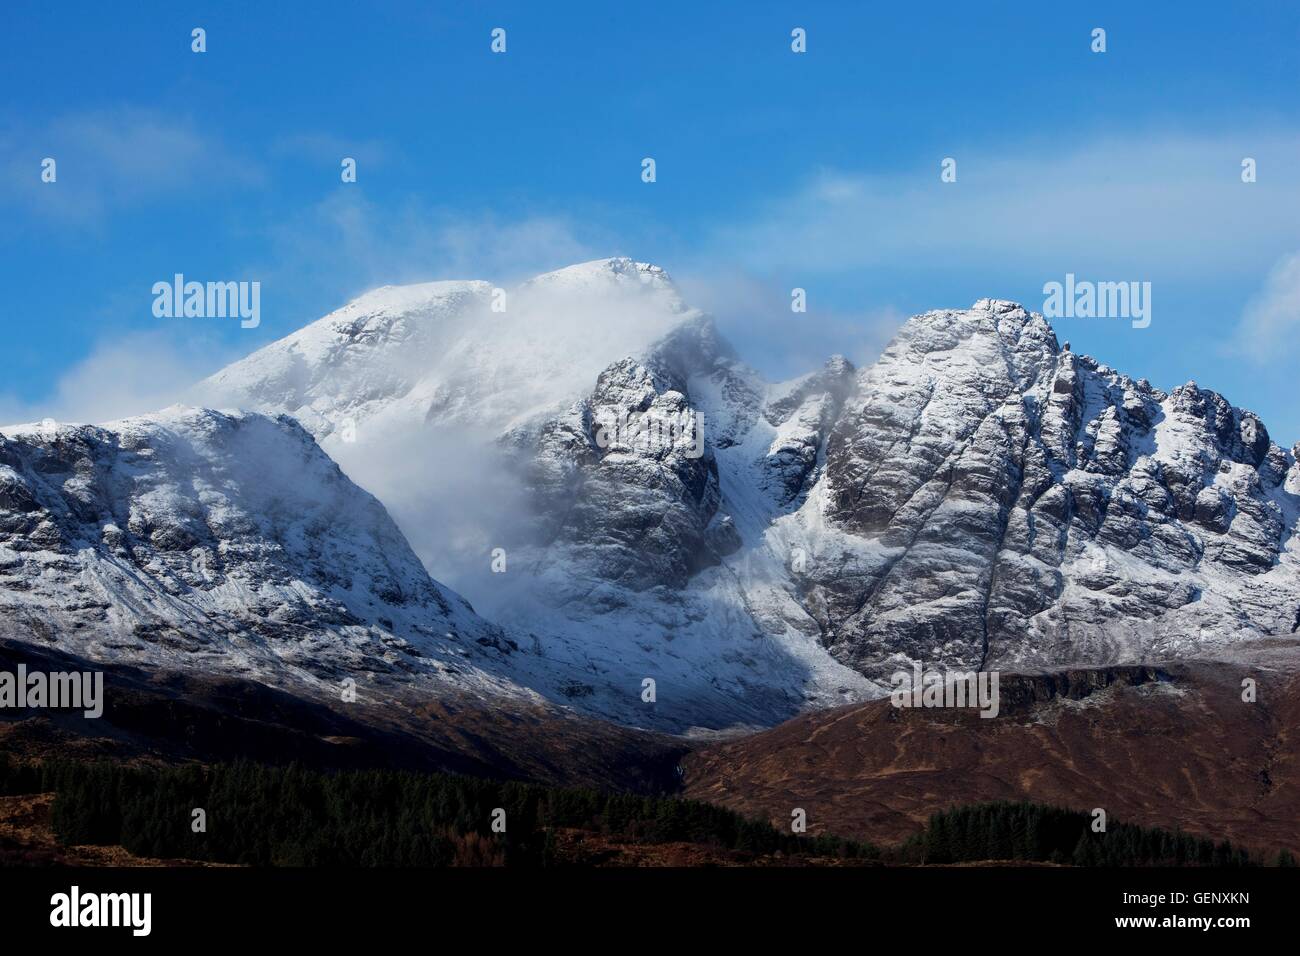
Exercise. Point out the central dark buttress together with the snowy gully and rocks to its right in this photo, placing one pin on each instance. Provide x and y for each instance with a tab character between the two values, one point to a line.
647	509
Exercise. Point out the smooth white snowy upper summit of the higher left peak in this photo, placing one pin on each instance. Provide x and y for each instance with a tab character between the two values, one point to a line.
454	354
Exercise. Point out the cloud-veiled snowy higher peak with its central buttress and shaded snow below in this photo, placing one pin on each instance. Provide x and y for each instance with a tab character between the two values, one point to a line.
610	566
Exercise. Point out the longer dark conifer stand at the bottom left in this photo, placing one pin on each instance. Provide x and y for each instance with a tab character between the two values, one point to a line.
291	816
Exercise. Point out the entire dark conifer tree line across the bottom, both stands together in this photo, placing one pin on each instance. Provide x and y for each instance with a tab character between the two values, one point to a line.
291	816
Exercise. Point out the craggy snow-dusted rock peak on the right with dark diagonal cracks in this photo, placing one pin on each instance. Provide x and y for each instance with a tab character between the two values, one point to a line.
1028	505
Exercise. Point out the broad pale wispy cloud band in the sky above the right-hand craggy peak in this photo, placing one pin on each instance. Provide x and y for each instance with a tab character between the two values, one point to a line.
1123	204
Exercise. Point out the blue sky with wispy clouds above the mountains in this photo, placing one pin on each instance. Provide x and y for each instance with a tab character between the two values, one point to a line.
774	171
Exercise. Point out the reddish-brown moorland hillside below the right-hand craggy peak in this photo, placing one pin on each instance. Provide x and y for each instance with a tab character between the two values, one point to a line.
1082	739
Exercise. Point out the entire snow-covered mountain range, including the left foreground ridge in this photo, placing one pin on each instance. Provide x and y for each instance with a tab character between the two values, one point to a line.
649	530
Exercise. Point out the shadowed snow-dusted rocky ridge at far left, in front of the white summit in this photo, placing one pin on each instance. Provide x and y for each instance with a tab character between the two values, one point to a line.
226	542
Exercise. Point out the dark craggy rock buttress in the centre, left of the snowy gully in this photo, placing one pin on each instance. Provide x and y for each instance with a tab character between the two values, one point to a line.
626	483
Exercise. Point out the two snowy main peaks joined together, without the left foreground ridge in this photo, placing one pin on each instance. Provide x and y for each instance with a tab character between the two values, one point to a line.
627	501
